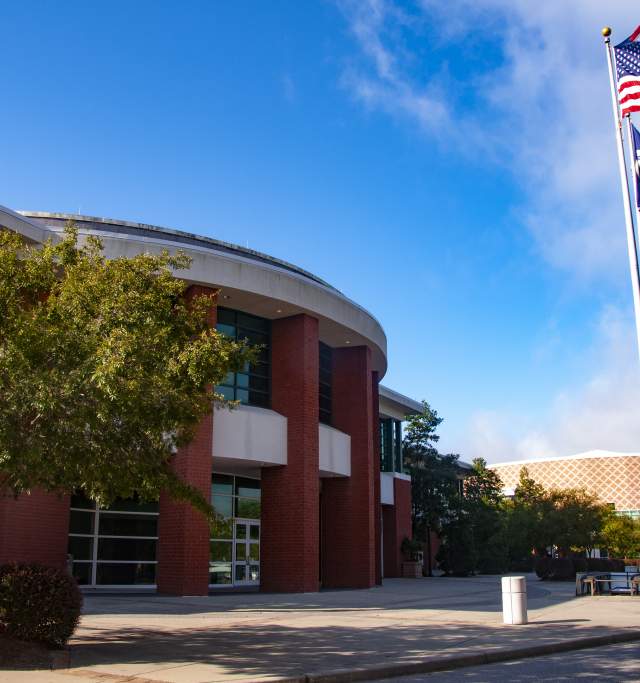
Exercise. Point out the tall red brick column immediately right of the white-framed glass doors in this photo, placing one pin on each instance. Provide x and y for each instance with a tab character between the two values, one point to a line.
289	545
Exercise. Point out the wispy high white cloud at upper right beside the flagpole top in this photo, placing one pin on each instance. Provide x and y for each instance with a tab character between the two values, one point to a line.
544	111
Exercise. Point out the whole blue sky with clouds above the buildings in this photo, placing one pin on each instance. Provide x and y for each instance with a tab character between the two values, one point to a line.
450	168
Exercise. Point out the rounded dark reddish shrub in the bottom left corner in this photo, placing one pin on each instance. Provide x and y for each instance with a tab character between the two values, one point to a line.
38	604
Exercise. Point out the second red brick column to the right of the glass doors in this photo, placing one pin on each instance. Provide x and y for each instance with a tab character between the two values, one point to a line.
349	510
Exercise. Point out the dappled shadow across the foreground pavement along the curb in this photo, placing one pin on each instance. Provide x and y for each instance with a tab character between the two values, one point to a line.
259	650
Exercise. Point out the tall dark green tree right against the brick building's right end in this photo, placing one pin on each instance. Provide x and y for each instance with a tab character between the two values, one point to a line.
434	477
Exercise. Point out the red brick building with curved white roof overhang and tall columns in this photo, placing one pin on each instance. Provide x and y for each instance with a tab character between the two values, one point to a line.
306	473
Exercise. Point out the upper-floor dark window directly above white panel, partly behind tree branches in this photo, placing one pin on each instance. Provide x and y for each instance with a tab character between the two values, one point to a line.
251	386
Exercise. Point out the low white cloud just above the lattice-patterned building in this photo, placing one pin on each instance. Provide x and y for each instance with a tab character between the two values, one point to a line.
600	413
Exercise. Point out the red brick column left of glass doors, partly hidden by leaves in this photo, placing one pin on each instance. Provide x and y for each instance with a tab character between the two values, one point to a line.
183	533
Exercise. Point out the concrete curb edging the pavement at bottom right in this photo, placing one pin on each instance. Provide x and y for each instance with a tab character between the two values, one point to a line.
446	663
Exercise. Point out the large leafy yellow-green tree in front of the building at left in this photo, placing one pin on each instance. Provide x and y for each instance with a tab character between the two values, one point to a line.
106	367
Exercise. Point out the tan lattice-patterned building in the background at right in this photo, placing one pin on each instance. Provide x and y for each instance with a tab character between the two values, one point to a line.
615	477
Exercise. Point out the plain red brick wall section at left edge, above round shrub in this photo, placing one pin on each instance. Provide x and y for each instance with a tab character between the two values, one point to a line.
34	528
